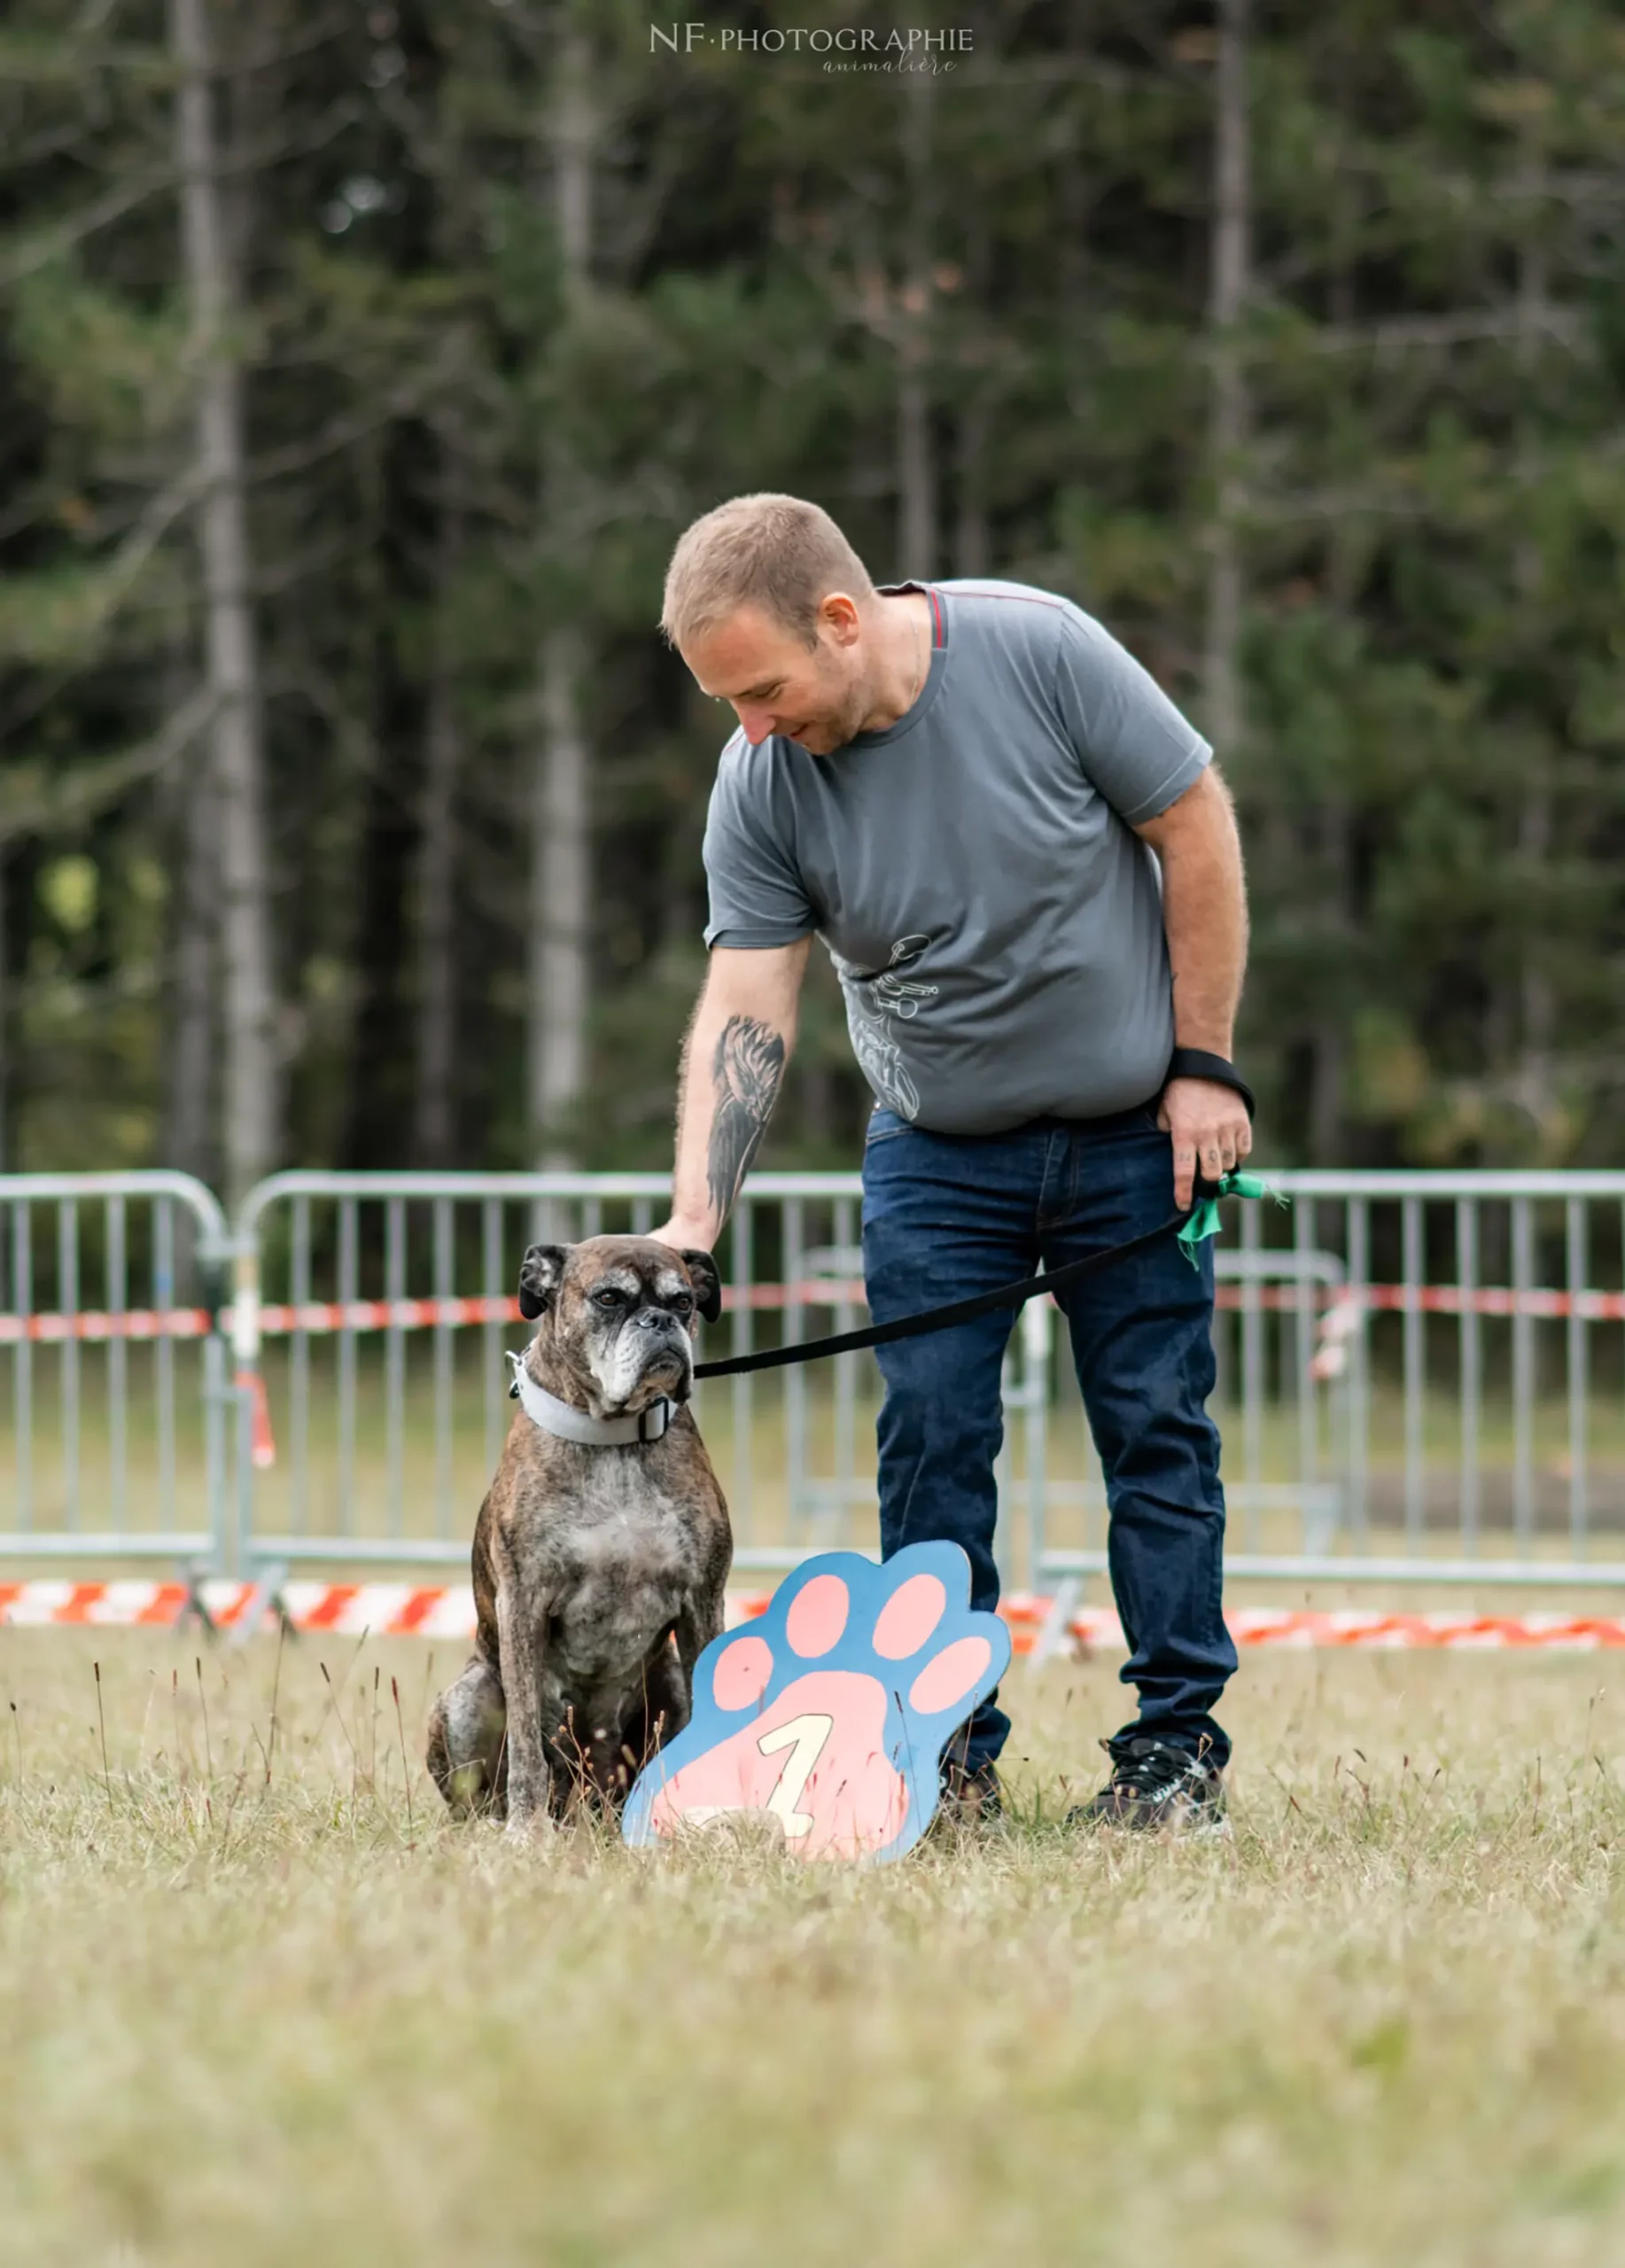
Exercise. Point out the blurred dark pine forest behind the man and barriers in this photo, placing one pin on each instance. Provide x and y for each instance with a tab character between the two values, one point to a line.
360	366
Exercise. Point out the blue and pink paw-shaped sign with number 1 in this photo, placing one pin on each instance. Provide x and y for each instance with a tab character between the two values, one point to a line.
834	1709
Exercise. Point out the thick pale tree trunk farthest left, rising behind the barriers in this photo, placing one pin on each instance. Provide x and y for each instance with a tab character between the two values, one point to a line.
251	1010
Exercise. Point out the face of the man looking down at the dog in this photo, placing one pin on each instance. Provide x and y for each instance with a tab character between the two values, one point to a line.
775	684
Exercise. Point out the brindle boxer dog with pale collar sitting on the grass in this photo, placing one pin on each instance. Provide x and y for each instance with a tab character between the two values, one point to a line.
603	1548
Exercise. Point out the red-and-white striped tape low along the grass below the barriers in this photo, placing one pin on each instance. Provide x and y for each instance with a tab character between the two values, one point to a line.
448	1611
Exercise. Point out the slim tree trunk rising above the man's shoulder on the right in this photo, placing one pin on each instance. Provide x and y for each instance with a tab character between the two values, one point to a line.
1227	418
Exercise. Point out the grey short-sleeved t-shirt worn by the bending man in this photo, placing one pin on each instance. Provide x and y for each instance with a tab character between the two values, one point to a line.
995	924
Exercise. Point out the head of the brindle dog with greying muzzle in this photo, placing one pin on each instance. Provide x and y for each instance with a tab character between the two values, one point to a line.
621	1312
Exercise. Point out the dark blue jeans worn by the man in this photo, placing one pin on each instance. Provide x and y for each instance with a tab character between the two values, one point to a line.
954	1215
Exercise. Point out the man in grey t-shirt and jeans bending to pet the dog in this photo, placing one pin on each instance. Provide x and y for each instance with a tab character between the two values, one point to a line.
1029	879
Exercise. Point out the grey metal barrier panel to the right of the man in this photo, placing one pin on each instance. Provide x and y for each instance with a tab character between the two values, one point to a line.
1422	1380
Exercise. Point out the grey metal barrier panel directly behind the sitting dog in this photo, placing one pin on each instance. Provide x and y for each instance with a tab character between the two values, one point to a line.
382	1312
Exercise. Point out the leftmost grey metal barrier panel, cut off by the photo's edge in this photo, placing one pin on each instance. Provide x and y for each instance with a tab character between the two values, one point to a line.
119	1389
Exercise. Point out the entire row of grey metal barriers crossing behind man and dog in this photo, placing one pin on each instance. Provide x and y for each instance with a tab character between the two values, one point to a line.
1422	1376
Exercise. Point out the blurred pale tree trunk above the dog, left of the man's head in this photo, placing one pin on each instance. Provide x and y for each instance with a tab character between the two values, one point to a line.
562	849
